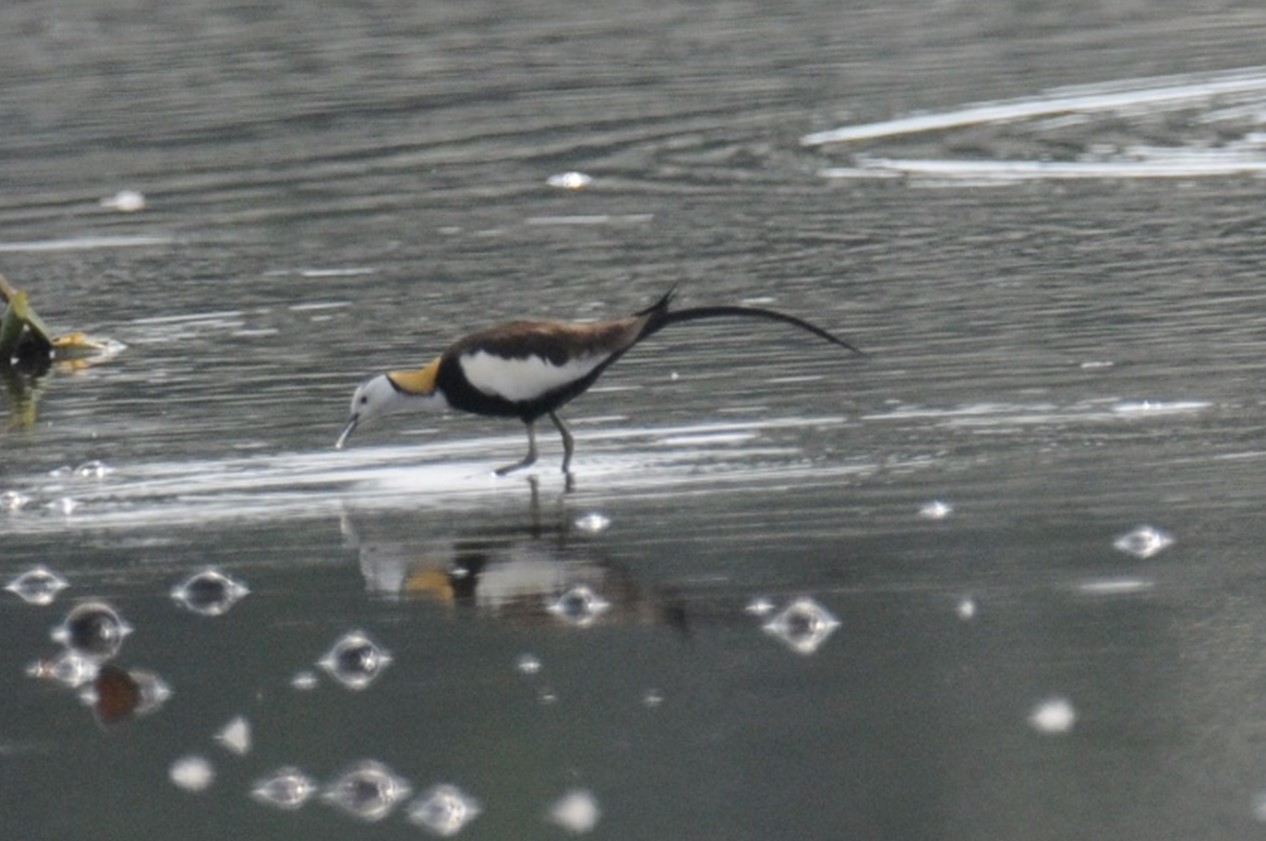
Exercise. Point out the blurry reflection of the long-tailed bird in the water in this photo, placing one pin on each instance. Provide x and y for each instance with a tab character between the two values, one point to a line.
525	572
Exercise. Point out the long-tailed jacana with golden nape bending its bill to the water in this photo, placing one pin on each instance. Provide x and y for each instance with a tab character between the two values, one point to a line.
530	369
